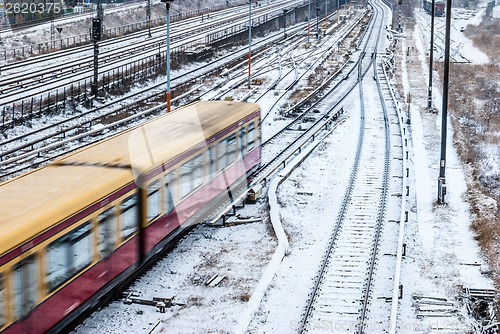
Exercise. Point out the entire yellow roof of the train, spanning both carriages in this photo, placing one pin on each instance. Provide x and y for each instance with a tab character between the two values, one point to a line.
34	202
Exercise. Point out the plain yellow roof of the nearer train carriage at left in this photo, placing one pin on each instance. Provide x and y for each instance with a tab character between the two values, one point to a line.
36	201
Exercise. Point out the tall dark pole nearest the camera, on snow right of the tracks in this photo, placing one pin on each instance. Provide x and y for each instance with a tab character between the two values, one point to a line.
444	112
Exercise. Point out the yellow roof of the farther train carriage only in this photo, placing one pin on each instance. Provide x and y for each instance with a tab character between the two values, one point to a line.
145	147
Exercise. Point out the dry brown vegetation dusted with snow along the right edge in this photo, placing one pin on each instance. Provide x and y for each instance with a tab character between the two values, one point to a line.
474	101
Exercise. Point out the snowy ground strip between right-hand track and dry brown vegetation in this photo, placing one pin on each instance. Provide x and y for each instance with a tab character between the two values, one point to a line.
443	255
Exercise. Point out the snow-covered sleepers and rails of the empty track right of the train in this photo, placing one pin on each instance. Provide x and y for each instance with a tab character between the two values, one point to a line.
341	294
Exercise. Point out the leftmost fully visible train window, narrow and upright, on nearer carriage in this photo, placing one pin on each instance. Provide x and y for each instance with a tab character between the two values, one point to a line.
24	287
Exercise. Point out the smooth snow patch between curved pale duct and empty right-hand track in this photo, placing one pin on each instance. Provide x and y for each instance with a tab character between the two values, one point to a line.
310	200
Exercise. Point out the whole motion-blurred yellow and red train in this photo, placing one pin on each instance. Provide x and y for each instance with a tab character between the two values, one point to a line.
82	226
